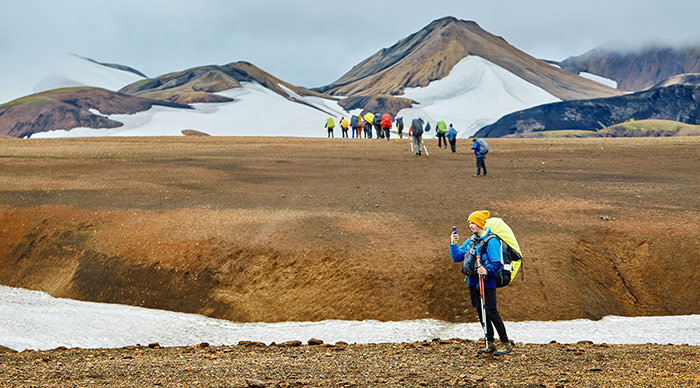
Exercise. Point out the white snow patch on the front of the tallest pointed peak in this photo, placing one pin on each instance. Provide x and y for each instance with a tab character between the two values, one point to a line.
475	93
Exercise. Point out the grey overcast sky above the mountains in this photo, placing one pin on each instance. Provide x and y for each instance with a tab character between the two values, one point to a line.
313	42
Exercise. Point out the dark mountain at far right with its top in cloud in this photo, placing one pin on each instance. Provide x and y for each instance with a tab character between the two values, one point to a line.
638	68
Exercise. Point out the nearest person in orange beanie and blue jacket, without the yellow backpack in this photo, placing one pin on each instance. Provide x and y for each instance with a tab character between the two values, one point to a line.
481	257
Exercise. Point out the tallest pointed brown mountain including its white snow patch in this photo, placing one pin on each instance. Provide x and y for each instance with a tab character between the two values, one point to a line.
455	71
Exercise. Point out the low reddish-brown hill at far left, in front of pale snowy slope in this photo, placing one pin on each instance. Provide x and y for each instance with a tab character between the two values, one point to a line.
70	108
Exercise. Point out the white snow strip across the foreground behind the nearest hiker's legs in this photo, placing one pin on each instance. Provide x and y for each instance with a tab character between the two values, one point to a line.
36	320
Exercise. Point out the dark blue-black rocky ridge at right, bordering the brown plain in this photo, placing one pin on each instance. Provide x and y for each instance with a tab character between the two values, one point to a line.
677	103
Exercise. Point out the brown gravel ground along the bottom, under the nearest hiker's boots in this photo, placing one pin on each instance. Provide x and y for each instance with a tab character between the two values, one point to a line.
439	363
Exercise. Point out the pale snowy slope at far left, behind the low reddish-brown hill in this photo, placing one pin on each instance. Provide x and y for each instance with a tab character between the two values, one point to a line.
56	70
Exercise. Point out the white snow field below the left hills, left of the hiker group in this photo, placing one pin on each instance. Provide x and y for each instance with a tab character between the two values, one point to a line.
255	111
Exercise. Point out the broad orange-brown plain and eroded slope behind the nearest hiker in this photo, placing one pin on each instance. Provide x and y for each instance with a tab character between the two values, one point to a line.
276	229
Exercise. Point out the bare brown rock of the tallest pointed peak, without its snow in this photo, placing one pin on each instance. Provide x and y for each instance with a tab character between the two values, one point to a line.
431	53
